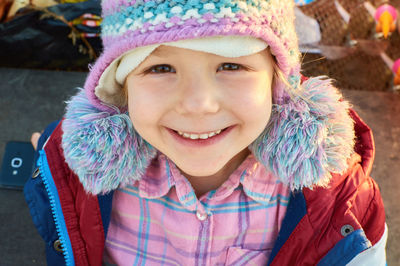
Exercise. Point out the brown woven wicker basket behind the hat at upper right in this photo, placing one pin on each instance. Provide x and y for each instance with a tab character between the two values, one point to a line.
358	71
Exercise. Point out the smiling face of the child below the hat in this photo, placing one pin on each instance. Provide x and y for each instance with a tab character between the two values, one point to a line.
199	109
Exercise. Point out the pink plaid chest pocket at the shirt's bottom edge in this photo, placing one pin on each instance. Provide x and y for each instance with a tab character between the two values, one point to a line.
239	256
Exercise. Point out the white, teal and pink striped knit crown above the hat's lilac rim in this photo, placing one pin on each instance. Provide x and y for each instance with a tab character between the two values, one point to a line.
140	17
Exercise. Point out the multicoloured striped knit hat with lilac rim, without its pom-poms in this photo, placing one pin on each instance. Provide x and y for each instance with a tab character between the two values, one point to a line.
131	24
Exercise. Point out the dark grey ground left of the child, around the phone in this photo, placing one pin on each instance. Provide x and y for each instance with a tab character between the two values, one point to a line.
29	100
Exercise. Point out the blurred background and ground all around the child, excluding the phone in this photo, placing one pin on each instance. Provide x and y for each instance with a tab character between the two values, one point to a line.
46	47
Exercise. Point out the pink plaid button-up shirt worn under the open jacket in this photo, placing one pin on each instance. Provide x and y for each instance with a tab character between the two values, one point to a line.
160	221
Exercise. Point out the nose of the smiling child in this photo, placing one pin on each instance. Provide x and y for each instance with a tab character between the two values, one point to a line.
199	94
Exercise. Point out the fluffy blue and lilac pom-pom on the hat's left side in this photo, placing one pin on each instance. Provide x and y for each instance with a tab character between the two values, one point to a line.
103	149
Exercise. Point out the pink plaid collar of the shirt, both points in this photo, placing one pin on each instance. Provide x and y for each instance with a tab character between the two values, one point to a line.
162	175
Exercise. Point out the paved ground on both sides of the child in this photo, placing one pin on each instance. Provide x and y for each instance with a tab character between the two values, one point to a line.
30	99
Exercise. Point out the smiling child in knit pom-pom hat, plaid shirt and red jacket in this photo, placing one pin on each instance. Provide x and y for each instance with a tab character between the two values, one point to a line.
197	142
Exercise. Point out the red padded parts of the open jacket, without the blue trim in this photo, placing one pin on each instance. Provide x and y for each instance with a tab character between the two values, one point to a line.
352	198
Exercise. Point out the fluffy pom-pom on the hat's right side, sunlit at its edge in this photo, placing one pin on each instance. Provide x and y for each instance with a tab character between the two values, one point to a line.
308	137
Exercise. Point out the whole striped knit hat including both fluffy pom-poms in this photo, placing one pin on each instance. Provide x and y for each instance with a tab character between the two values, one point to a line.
309	134
